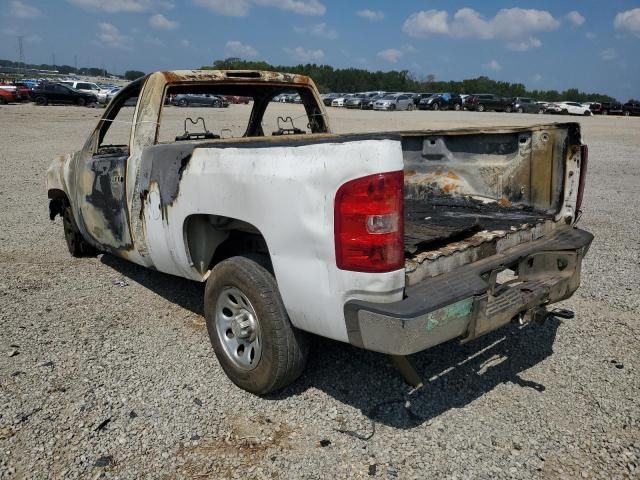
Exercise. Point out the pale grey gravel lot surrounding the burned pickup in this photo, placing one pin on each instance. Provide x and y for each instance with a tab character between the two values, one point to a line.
106	370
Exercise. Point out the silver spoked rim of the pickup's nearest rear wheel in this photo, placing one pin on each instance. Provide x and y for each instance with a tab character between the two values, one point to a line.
238	328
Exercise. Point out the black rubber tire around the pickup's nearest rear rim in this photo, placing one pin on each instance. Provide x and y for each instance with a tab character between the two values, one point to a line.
284	349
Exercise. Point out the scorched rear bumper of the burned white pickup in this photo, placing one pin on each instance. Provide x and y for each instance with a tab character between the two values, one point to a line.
469	302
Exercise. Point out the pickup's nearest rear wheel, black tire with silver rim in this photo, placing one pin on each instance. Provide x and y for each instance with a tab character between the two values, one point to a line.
256	344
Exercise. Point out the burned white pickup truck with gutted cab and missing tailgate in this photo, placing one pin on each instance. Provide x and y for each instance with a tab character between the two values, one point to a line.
393	241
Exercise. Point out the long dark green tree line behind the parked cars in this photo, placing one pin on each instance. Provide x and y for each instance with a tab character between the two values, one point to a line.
343	80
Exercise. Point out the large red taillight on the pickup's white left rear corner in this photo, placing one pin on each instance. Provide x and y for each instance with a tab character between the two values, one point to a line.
369	223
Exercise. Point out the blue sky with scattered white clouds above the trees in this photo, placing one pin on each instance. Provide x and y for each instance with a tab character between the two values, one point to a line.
593	45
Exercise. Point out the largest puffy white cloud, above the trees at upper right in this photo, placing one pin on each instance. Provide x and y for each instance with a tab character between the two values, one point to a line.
508	23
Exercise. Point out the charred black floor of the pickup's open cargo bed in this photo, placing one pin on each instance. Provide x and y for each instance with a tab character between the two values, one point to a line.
439	219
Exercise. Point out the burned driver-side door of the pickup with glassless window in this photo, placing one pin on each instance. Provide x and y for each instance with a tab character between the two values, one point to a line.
101	179
